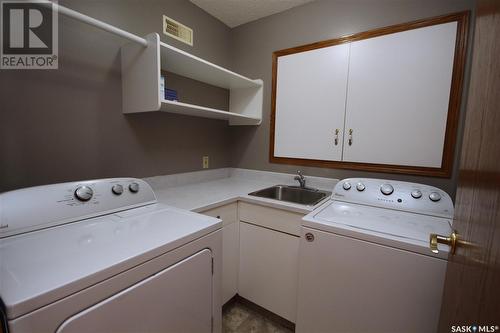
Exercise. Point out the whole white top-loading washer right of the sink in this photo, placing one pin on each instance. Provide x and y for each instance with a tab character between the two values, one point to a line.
365	262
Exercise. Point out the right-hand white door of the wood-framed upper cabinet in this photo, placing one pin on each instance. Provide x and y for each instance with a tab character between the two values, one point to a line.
398	96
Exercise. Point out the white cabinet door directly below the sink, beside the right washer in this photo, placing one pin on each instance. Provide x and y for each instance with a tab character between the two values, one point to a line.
269	269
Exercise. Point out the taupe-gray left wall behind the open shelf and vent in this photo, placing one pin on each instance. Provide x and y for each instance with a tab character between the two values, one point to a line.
67	124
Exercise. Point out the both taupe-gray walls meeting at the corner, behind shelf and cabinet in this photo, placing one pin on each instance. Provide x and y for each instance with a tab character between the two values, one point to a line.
67	124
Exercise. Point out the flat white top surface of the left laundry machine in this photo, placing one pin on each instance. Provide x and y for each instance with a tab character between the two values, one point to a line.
44	266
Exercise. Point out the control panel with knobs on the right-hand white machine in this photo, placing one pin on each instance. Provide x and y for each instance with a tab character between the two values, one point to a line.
391	194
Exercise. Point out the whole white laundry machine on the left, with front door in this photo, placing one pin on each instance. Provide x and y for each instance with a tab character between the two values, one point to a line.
104	256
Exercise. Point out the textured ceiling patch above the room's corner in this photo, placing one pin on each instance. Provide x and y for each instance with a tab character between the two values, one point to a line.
236	12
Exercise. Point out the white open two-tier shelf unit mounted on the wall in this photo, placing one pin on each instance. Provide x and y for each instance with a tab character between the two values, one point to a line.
141	67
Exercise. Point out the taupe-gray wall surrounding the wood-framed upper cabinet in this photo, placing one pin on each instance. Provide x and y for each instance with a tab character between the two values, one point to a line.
253	44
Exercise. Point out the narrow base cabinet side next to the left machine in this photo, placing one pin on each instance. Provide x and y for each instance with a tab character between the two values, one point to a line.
230	248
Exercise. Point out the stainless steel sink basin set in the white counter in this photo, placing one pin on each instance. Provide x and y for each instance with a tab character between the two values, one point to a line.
303	196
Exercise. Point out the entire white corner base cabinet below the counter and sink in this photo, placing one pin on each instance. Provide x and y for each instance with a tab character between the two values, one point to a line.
260	256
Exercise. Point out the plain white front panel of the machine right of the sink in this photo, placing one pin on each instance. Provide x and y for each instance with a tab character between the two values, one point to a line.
351	286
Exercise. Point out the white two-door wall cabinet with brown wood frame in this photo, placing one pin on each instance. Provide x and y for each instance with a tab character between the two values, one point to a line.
384	100
